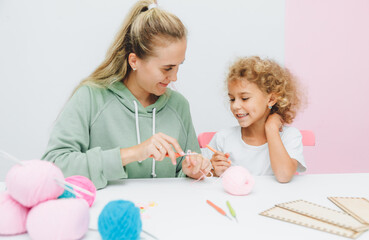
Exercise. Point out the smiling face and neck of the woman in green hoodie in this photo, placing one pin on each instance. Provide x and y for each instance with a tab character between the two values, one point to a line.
153	74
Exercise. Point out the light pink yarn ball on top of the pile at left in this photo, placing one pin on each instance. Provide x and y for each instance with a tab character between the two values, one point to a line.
33	182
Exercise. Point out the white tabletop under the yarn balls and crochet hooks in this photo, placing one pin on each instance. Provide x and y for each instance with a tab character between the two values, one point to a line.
182	211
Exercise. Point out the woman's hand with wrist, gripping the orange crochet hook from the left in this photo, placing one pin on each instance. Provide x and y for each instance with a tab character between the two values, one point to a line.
156	147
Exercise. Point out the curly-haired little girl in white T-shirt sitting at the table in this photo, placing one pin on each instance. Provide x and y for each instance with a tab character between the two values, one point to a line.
263	97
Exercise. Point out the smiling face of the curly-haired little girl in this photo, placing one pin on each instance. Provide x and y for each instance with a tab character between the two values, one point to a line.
248	103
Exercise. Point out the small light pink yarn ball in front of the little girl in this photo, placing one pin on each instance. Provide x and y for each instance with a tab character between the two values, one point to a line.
237	180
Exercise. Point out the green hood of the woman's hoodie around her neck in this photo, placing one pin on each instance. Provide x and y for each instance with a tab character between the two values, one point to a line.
127	98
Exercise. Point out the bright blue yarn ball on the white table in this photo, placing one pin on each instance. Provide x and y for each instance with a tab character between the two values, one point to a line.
120	219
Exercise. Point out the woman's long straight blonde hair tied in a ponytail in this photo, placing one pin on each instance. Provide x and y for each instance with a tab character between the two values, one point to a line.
142	30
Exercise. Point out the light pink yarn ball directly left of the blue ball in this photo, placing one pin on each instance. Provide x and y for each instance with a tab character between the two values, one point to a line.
60	219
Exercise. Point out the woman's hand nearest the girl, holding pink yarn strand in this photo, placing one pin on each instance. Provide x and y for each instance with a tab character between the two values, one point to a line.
195	166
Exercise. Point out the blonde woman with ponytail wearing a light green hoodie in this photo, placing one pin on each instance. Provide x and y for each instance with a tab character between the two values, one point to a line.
122	121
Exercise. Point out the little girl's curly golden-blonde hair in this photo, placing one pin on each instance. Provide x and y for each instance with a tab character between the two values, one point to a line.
270	78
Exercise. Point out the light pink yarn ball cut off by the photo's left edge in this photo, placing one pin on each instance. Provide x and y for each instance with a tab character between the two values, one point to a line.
12	216
